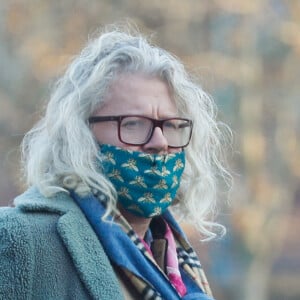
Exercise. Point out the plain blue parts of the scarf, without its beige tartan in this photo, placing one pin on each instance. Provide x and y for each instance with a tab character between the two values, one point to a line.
124	251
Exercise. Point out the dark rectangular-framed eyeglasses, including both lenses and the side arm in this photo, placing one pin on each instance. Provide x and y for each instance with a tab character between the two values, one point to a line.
138	130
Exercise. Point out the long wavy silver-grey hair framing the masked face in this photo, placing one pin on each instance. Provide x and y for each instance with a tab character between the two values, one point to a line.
60	151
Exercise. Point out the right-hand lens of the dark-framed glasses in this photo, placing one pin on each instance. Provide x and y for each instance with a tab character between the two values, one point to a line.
177	132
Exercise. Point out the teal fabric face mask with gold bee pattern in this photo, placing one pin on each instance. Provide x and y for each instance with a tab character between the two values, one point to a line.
146	183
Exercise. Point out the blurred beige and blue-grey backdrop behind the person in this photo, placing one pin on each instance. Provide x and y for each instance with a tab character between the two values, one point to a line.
246	54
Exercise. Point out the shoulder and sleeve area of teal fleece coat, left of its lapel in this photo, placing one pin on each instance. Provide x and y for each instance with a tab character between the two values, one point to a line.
33	259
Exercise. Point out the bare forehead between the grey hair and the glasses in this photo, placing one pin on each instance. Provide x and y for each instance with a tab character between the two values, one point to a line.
139	94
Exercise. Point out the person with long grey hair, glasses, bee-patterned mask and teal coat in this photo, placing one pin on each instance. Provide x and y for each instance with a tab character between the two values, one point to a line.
129	143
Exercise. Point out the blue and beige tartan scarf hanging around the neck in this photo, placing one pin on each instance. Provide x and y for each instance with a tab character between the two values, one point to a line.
127	251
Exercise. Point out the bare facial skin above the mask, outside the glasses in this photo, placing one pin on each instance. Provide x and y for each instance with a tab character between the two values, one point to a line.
136	95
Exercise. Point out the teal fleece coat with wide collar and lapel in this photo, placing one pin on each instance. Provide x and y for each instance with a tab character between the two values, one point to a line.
48	250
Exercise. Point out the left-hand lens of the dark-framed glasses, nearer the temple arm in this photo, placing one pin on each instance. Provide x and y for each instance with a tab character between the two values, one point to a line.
135	130
